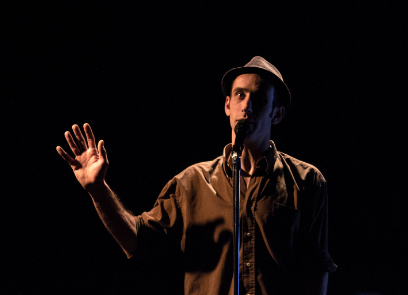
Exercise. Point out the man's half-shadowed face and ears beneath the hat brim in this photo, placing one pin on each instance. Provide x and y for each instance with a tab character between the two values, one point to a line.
251	98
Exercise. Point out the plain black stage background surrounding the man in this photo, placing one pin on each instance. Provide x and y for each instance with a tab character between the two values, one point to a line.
146	76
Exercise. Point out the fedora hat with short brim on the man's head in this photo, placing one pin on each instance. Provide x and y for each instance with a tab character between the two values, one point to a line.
258	65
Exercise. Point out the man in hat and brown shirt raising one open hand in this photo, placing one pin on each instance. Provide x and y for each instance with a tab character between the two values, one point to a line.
283	202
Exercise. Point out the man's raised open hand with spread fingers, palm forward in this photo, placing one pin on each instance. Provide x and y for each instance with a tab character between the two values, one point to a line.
90	163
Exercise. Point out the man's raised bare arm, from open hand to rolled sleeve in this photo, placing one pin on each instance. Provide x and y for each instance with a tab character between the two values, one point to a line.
89	166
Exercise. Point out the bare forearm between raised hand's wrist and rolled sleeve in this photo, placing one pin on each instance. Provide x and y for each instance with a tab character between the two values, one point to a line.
119	222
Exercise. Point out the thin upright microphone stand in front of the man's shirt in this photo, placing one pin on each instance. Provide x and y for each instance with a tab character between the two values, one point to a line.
236	174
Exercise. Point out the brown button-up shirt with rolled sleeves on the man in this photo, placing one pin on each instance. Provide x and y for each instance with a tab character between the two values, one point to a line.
284	222
